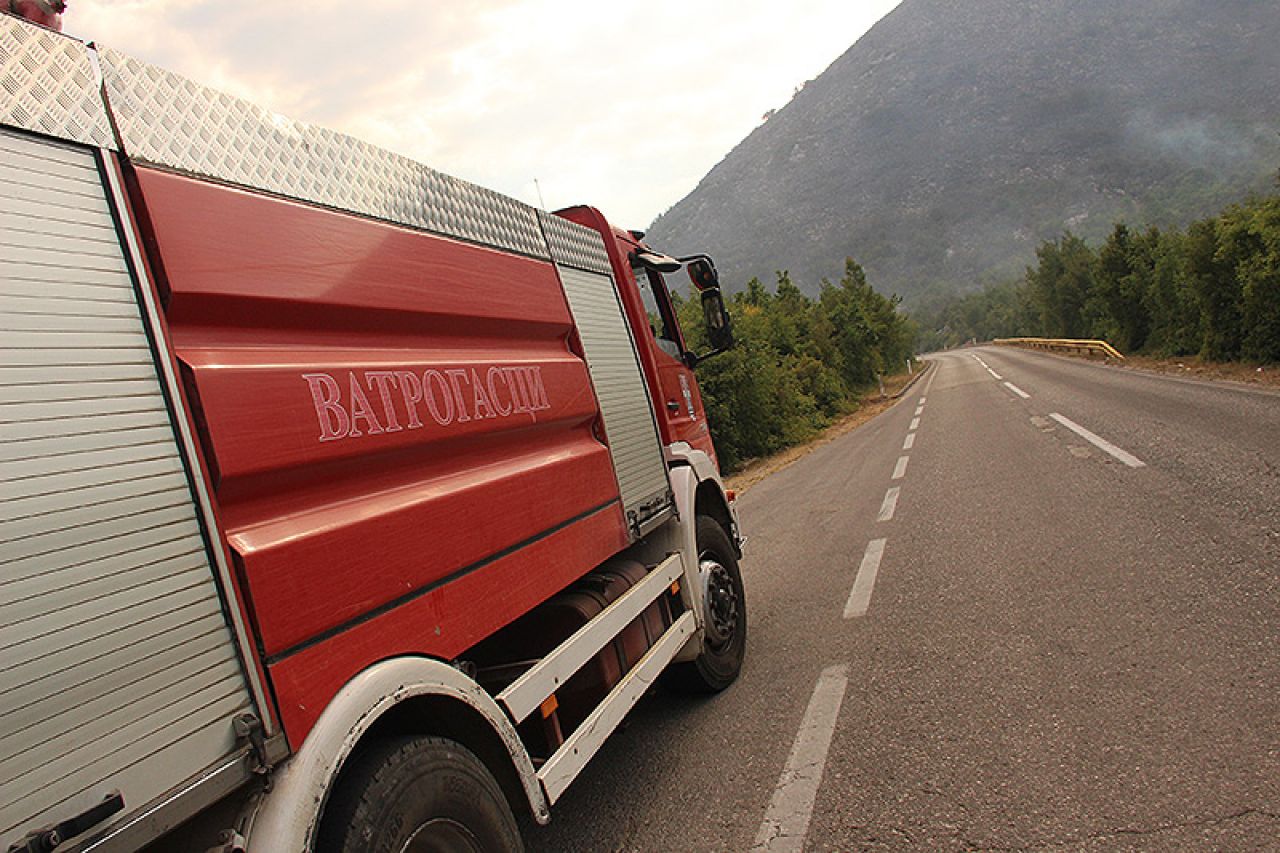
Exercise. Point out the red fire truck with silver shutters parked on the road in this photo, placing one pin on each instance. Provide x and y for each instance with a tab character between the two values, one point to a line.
348	507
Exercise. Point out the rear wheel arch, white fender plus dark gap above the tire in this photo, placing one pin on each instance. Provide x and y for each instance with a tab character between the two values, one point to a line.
396	697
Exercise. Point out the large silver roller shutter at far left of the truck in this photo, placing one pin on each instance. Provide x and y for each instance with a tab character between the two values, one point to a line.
118	670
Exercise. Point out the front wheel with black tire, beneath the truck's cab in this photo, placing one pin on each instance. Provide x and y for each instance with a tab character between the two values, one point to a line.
725	638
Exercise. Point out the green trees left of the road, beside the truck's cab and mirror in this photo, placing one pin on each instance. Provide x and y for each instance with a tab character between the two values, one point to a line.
799	364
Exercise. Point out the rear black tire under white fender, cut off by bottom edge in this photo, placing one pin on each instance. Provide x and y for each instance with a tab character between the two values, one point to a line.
418	796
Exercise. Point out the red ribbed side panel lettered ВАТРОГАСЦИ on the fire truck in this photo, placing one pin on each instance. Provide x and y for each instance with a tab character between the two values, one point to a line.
400	437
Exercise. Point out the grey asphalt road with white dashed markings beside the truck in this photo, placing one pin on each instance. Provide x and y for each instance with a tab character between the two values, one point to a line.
1039	642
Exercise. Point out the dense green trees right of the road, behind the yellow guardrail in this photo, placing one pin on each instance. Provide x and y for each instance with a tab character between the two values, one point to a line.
1210	291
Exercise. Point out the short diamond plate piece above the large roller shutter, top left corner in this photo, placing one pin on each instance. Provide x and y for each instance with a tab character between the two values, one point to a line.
48	85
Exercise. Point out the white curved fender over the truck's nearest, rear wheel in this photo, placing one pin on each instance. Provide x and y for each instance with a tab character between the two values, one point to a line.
290	813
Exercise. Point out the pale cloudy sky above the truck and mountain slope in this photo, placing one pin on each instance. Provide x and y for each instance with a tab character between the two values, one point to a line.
624	107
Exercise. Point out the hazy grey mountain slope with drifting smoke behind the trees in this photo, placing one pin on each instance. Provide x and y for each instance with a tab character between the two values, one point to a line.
956	138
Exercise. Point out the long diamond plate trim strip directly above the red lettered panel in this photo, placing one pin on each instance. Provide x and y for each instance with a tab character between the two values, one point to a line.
173	122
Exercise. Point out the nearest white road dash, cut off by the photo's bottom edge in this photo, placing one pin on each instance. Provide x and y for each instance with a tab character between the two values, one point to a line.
787	822
